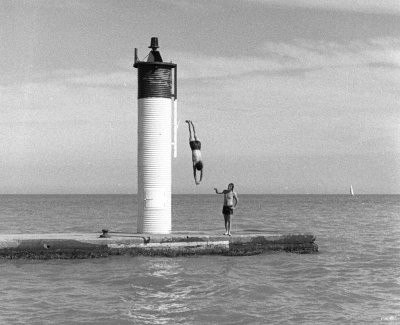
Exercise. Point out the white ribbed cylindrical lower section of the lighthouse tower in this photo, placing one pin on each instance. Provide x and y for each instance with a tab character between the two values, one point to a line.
154	165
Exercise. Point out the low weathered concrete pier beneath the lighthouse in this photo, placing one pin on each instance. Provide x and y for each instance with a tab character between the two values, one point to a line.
91	245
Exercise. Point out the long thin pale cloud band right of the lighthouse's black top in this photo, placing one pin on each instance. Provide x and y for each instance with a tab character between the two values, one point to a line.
296	57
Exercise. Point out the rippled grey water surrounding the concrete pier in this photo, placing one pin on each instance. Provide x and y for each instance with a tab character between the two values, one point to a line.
354	279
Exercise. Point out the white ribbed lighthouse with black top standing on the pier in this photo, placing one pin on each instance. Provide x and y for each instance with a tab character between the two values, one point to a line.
157	106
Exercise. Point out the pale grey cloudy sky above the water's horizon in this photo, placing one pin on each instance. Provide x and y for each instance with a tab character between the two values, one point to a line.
288	97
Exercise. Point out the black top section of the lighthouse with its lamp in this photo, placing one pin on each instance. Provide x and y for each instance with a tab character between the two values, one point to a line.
154	75
